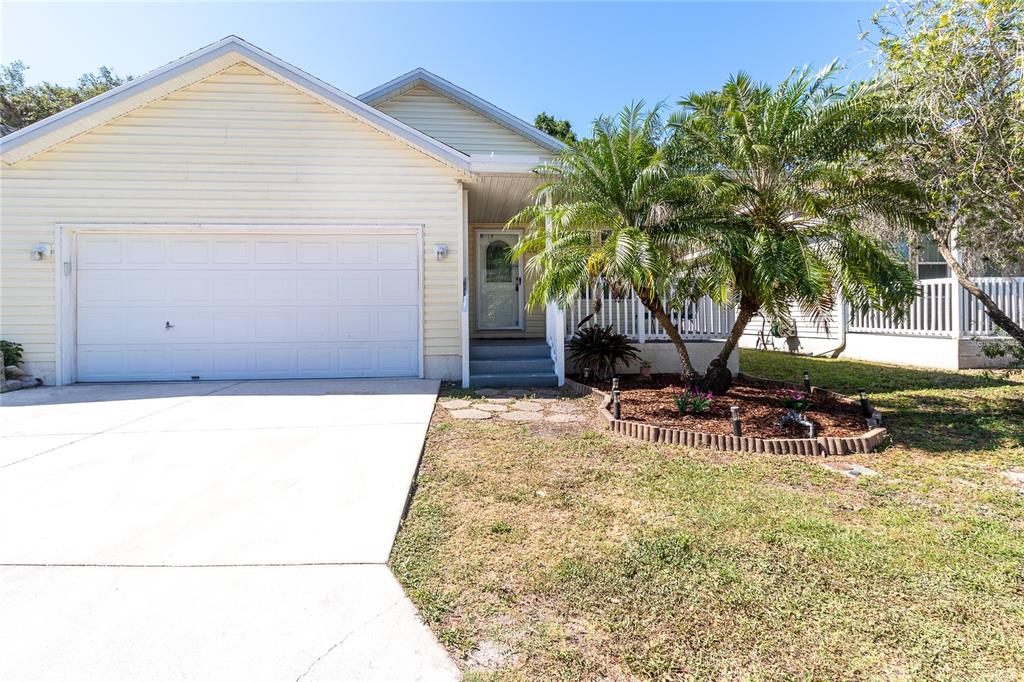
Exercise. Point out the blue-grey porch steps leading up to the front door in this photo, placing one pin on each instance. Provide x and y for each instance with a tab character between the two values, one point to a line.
502	363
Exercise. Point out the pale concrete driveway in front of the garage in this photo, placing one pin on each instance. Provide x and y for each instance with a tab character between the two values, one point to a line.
222	531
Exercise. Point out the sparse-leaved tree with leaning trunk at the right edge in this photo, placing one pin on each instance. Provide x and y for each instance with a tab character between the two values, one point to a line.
957	66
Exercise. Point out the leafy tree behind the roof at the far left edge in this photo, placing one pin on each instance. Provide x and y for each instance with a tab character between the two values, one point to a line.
24	105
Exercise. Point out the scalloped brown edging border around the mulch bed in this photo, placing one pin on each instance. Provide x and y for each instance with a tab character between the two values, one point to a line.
821	446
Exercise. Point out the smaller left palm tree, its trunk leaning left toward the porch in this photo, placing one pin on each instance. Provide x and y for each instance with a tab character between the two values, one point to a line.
598	218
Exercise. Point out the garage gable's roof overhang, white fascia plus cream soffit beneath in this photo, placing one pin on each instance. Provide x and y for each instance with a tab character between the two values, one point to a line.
140	92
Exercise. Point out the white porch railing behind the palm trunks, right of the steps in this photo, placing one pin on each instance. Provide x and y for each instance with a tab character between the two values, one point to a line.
700	320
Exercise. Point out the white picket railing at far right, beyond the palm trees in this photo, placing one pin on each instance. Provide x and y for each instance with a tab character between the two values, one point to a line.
944	309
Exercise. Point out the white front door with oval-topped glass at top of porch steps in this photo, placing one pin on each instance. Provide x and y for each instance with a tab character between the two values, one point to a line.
500	283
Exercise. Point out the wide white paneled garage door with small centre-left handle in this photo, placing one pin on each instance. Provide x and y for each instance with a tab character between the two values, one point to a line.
247	307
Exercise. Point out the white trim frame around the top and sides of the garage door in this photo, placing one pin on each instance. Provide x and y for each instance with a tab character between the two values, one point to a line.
66	269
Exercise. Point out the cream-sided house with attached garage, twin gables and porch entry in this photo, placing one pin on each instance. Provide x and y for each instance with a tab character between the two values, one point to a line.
229	217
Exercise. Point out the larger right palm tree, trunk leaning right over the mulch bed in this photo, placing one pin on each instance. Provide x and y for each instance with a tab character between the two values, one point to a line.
795	197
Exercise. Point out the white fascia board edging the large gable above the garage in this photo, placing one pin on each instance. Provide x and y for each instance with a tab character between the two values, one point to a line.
261	60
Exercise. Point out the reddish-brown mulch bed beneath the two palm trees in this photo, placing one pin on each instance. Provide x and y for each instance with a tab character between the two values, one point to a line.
650	401
